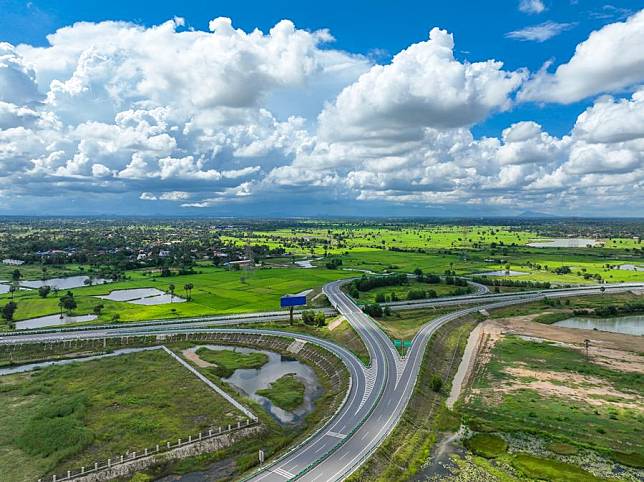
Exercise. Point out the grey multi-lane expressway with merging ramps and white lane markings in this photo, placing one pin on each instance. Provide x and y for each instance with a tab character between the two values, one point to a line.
378	394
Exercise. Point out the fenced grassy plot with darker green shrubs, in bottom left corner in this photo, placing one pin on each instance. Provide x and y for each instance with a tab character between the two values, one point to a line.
65	417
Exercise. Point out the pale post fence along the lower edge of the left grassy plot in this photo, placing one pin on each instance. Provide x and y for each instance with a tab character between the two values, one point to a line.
159	448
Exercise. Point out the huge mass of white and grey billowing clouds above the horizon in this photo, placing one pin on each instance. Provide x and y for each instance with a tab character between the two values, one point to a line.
170	116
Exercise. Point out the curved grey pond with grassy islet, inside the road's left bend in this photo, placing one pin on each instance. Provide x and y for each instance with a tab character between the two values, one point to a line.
248	381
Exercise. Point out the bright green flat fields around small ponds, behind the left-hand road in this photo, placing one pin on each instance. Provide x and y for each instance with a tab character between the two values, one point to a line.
216	291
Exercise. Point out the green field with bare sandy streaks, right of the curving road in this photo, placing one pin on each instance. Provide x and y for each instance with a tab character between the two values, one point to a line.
556	392
